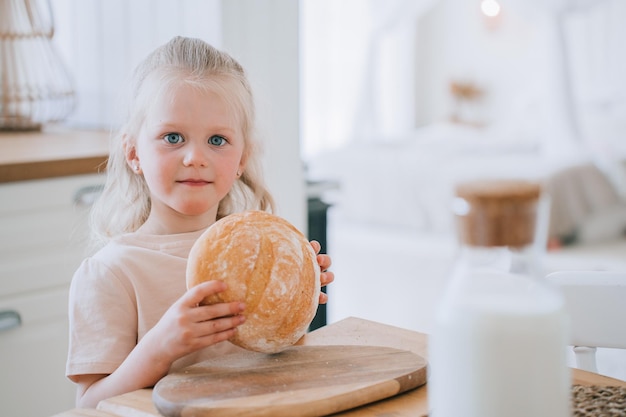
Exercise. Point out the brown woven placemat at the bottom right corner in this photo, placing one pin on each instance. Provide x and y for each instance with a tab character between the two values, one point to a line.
596	401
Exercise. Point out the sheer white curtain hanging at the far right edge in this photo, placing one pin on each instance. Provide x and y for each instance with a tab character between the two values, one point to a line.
587	89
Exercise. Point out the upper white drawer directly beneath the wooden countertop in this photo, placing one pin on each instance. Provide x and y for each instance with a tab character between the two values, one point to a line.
43	231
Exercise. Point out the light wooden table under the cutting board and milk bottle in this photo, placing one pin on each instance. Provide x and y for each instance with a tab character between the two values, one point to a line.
350	331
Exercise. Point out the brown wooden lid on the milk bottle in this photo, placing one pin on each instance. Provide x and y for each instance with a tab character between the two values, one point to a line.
497	212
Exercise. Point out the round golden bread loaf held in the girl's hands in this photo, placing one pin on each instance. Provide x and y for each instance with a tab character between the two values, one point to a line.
266	263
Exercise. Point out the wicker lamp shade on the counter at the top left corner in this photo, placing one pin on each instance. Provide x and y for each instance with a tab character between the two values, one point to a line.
35	86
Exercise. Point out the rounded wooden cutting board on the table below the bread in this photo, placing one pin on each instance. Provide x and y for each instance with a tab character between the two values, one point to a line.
300	381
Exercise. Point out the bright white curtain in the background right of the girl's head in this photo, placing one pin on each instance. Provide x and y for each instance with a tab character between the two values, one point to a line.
357	64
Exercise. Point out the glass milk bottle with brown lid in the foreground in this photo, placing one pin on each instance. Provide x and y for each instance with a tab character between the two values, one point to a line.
498	348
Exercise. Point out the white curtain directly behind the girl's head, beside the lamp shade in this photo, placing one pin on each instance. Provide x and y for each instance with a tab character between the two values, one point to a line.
102	41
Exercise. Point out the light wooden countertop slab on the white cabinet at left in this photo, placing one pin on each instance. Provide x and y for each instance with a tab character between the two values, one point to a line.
53	152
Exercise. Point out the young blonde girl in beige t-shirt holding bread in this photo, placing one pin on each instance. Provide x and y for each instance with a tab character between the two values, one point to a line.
185	157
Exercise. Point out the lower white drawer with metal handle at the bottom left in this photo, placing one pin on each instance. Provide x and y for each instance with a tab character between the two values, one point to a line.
33	356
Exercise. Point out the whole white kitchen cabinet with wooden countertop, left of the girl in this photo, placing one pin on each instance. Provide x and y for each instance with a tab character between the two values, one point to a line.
48	181
